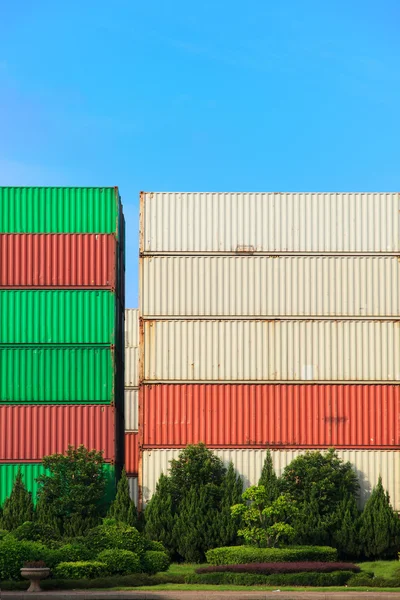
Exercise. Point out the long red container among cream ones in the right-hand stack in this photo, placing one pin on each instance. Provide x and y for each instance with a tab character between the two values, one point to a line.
271	415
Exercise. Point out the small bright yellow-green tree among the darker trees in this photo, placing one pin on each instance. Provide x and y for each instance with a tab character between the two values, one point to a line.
265	523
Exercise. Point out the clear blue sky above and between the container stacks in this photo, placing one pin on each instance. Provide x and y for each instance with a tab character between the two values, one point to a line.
212	95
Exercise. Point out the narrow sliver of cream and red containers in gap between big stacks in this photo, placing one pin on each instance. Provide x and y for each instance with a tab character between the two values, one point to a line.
131	399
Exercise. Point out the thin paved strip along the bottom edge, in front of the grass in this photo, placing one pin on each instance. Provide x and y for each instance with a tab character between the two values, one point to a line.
203	595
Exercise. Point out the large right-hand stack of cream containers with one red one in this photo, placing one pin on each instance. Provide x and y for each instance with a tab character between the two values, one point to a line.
270	321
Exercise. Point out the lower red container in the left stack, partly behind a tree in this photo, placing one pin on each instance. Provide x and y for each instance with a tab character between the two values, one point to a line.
28	433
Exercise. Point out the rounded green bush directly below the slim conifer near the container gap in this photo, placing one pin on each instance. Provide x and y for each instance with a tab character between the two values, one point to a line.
112	534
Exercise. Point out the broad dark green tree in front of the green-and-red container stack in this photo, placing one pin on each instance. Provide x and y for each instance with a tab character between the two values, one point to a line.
74	490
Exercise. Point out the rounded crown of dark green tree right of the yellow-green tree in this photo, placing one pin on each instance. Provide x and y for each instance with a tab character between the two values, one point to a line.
324	475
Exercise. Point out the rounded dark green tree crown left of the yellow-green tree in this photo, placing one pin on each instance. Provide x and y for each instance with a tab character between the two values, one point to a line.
196	466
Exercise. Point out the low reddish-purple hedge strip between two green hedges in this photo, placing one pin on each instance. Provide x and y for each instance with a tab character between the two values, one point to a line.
288	567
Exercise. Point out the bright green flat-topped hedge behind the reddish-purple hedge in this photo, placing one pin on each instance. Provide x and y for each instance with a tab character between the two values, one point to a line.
237	555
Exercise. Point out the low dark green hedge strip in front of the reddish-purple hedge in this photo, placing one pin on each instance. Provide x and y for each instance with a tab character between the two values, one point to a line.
337	578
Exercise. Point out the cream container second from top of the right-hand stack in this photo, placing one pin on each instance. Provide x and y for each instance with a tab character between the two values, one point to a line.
261	286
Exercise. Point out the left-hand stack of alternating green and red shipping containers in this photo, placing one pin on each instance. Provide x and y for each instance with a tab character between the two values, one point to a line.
61	327
